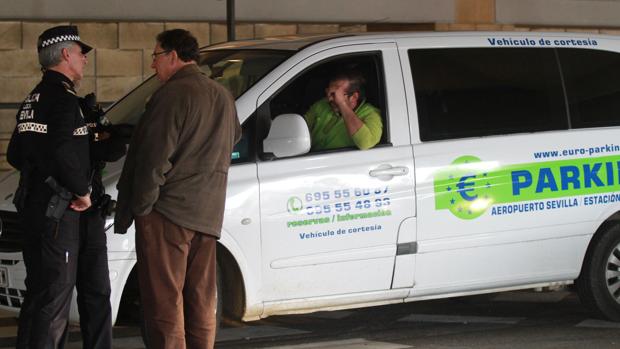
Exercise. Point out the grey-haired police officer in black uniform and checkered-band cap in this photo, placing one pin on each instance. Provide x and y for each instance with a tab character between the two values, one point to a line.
50	148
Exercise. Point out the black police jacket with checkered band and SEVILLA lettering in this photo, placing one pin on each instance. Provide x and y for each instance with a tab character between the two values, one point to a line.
51	138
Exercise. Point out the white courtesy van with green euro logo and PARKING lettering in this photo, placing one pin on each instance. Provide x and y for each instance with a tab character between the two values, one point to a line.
498	169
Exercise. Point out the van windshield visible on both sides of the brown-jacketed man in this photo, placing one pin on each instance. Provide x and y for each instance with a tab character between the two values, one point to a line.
237	70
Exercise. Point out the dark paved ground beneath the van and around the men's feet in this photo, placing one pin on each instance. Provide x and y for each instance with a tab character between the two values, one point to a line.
507	320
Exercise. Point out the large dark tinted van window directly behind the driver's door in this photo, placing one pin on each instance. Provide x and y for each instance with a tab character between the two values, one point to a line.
472	92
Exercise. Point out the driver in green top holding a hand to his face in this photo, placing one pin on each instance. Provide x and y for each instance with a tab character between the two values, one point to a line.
344	118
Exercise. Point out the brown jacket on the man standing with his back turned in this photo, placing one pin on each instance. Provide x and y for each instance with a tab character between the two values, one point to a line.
179	155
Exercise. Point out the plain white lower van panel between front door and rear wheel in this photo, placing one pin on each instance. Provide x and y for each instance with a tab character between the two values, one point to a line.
489	267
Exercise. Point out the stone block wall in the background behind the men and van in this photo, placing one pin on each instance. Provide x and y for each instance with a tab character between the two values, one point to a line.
123	32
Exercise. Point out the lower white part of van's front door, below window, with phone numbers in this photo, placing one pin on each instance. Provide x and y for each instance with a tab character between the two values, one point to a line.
329	233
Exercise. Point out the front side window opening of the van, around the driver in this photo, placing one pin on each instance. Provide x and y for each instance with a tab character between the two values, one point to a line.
306	91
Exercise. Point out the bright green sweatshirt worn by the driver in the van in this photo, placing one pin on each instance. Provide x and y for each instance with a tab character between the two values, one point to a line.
328	130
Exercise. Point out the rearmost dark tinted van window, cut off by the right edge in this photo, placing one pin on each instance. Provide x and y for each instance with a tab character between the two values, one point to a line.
592	81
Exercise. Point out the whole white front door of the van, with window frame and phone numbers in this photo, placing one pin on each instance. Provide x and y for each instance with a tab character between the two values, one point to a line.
330	219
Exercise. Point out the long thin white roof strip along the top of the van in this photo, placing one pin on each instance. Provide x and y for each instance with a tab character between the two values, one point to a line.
298	42
